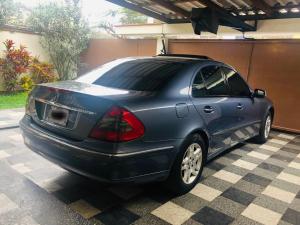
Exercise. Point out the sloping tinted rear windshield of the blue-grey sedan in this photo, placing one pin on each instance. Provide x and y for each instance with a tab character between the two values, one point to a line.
139	75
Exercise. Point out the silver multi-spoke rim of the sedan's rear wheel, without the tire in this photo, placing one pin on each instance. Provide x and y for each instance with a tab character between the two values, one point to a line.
191	163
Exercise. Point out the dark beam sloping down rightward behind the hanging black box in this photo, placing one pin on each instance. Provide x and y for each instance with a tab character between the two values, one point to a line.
228	17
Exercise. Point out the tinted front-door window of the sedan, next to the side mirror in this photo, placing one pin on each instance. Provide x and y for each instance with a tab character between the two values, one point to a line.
238	87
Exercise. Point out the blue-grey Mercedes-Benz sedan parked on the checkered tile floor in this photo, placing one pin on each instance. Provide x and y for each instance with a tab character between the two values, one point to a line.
145	119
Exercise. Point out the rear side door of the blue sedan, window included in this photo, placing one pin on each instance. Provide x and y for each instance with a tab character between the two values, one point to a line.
210	95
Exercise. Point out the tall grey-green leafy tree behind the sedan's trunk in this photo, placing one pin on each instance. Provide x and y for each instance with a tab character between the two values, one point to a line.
65	34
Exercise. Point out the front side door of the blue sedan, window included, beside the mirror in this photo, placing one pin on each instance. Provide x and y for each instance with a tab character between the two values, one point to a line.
247	115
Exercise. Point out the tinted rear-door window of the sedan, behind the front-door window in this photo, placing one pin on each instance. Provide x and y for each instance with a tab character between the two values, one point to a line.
214	81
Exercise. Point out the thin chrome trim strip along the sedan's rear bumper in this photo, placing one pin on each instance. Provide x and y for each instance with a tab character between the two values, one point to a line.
118	155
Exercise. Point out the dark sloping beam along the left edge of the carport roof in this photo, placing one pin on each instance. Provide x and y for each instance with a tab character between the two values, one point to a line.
139	9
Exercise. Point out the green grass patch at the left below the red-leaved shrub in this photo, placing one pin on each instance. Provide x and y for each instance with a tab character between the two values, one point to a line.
12	100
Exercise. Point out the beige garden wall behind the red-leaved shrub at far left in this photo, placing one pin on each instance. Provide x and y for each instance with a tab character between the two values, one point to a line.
31	41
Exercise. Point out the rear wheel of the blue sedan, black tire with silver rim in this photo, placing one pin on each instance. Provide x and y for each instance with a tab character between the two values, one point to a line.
188	165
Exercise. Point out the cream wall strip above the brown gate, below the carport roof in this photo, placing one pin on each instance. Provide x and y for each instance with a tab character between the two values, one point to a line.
266	29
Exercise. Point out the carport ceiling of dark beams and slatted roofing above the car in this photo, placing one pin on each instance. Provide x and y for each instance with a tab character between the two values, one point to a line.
179	11
